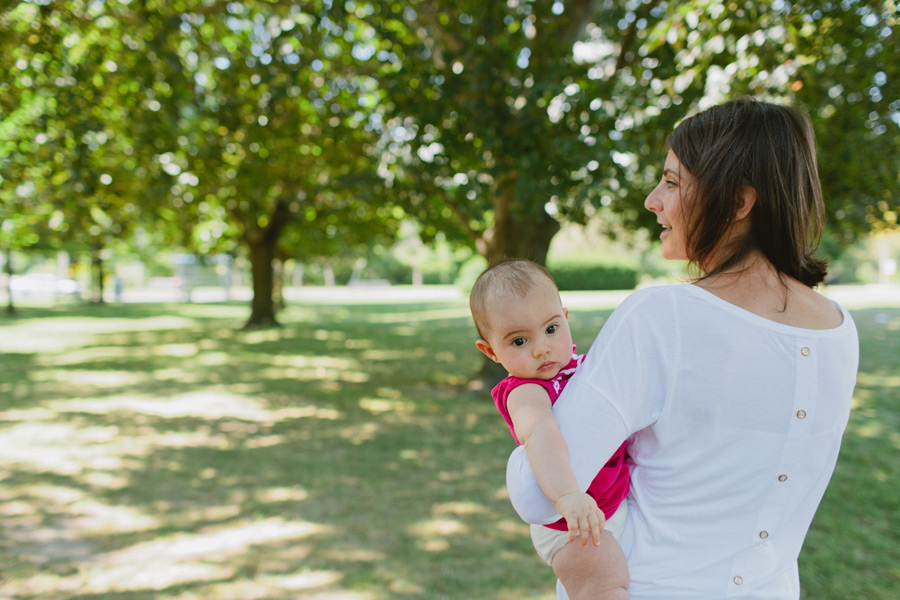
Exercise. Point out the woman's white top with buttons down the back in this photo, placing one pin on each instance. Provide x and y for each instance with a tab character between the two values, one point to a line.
735	423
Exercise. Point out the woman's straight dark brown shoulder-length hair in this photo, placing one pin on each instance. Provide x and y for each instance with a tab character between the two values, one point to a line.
770	148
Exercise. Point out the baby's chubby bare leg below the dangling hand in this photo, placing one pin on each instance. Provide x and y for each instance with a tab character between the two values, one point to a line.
593	572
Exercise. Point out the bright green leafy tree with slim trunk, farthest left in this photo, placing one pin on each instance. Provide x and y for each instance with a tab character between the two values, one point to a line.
73	154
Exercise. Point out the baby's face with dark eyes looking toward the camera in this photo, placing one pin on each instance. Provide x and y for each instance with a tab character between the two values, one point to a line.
530	336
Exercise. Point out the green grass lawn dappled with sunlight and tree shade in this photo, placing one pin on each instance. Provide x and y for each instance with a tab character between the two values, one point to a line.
156	451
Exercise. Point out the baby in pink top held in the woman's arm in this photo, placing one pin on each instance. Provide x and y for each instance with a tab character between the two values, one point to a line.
522	324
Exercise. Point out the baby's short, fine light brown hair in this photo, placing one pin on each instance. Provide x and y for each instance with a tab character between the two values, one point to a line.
511	278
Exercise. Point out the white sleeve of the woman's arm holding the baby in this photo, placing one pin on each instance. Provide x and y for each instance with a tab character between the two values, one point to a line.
618	390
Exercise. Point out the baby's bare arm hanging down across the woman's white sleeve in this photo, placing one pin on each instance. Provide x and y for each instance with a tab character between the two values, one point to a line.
538	431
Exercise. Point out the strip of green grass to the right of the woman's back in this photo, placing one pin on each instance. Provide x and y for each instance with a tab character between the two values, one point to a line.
852	550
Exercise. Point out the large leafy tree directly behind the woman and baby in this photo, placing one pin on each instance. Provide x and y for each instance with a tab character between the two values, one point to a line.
509	117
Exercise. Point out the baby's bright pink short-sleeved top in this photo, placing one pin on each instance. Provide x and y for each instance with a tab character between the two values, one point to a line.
610	487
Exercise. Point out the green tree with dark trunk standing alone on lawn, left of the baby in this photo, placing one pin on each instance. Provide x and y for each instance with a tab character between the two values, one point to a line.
277	131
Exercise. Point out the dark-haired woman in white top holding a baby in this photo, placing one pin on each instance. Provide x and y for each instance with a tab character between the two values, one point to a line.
733	391
